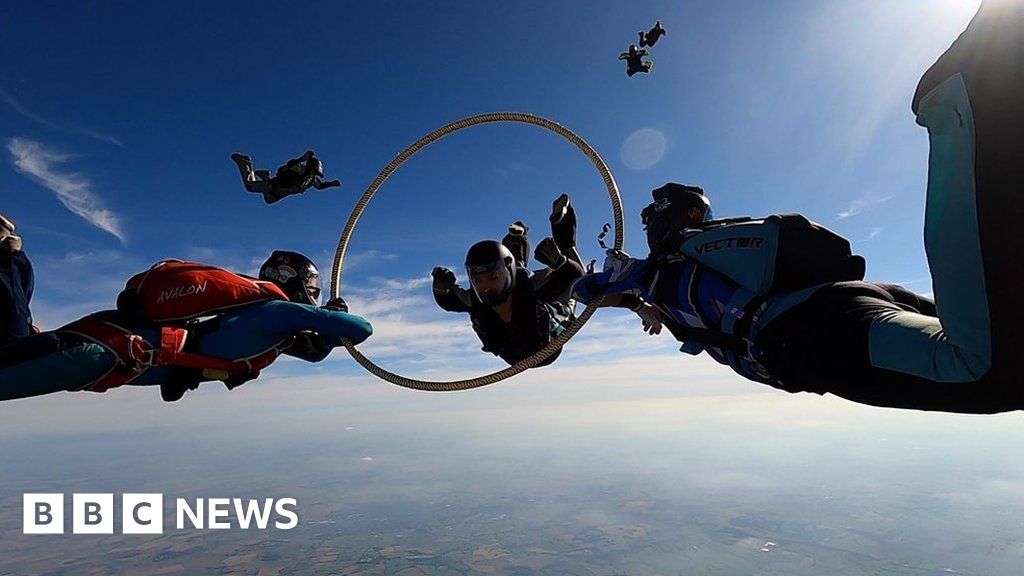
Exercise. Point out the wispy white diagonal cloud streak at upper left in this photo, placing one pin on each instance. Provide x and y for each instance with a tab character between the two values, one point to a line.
74	190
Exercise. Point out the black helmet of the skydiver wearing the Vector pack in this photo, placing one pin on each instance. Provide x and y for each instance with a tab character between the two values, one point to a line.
671	214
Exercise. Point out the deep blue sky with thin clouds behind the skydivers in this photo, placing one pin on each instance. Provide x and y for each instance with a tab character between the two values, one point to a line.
118	120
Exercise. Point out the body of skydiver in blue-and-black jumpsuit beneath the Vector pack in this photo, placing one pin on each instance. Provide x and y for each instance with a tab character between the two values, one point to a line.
873	344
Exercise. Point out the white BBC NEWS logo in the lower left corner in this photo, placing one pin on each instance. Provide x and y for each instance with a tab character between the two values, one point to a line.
144	514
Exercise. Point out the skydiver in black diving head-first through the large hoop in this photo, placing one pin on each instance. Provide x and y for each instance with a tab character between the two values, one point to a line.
516	313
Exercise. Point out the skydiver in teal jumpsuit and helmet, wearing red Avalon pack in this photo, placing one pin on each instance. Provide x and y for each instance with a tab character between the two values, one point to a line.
62	360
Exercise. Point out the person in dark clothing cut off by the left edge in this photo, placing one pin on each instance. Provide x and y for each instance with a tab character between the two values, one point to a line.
17	283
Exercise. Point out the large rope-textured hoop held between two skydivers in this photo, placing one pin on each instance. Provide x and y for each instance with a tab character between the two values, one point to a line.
551	348
